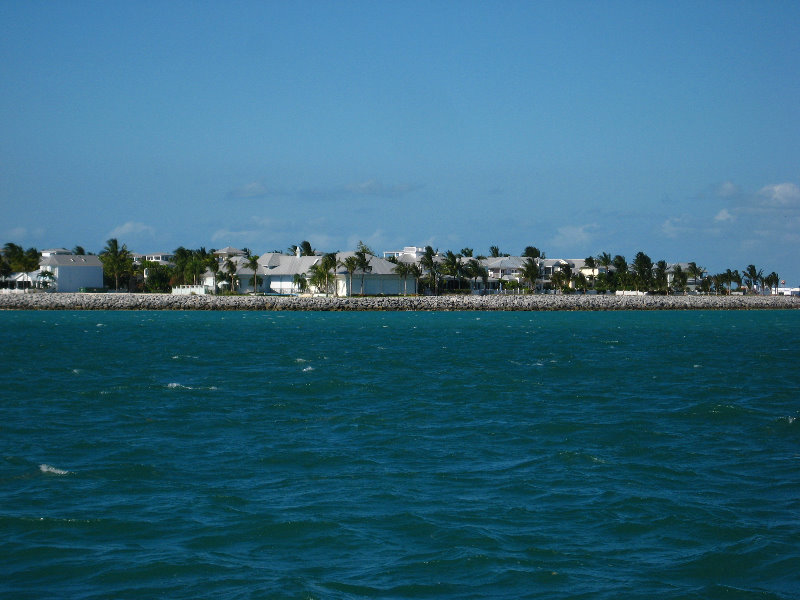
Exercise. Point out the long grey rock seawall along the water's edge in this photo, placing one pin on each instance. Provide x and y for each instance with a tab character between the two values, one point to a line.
538	302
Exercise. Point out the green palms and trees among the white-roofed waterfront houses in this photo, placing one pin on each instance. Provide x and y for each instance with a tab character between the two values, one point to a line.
435	272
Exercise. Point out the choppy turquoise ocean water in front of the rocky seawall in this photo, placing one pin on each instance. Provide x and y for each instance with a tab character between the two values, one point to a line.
400	455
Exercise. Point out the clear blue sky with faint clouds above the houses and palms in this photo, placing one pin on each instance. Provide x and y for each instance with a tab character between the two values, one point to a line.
578	127
